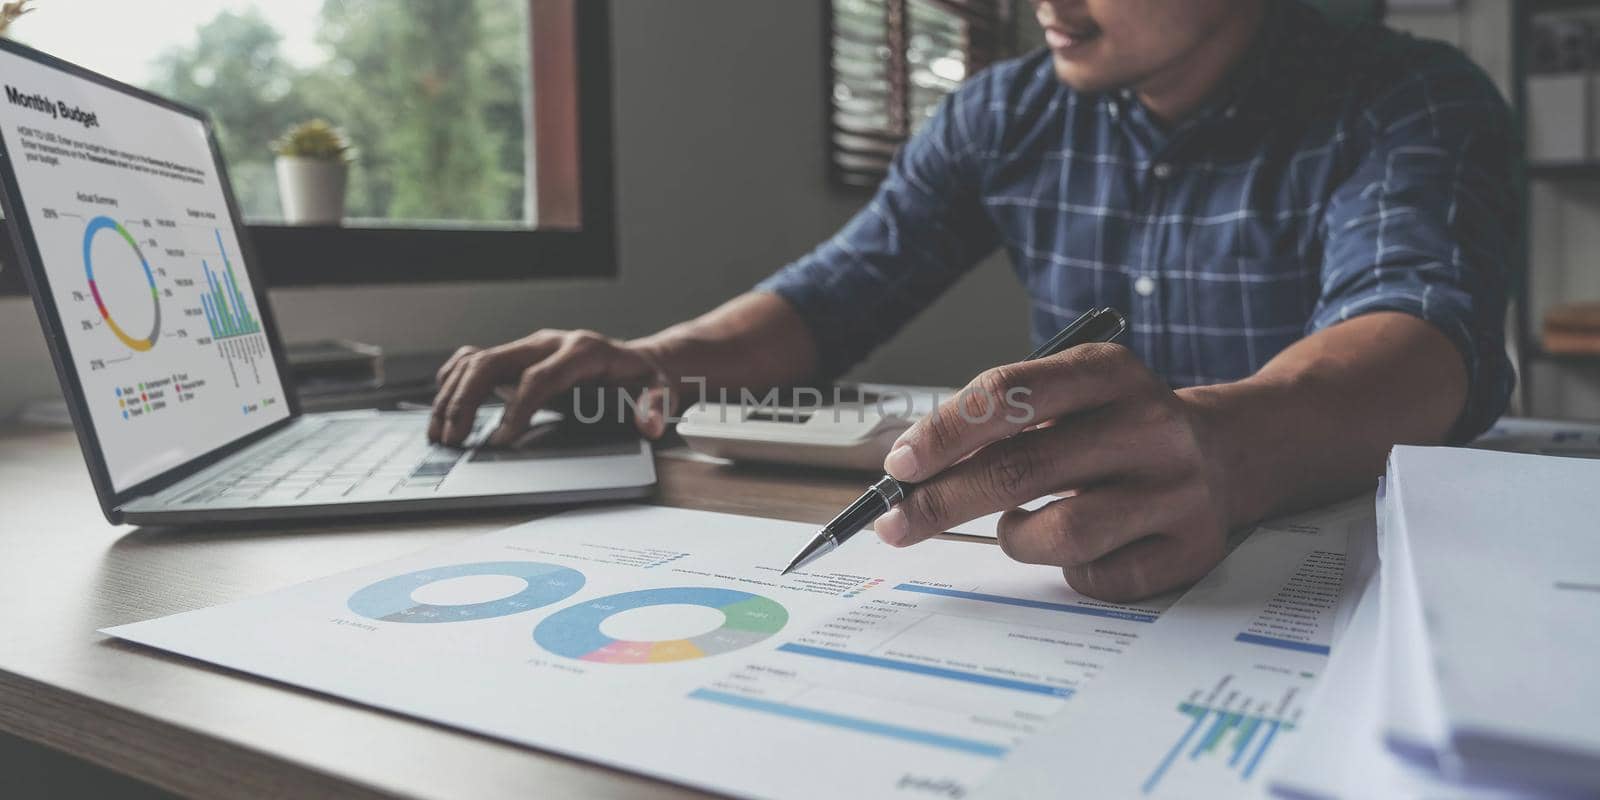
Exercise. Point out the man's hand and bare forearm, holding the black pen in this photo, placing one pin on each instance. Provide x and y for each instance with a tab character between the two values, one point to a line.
1156	478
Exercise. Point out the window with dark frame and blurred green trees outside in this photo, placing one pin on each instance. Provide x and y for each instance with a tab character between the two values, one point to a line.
481	127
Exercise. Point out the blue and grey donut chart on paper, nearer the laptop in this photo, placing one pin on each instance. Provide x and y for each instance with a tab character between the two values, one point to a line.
391	601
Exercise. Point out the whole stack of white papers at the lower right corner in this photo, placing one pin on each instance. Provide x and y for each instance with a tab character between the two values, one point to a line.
1470	665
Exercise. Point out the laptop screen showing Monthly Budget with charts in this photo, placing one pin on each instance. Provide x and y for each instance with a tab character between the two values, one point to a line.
145	270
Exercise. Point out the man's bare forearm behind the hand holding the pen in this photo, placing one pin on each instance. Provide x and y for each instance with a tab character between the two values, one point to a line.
1318	422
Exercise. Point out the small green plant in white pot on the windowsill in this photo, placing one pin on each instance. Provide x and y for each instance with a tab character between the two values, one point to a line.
314	167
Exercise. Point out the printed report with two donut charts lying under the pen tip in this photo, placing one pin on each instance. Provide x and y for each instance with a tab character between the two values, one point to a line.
666	642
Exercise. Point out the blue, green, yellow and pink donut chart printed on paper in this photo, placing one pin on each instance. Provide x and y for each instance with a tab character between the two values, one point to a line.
575	633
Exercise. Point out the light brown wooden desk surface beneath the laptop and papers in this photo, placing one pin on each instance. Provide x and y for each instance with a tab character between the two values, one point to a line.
198	730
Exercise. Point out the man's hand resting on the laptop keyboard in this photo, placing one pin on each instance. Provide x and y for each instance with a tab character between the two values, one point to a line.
542	367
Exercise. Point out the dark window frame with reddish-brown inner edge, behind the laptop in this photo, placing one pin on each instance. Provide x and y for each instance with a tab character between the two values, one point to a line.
382	255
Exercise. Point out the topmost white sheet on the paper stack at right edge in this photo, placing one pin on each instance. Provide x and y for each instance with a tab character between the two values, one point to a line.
1506	561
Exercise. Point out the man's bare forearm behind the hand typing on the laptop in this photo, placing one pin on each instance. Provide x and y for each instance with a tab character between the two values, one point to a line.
756	340
